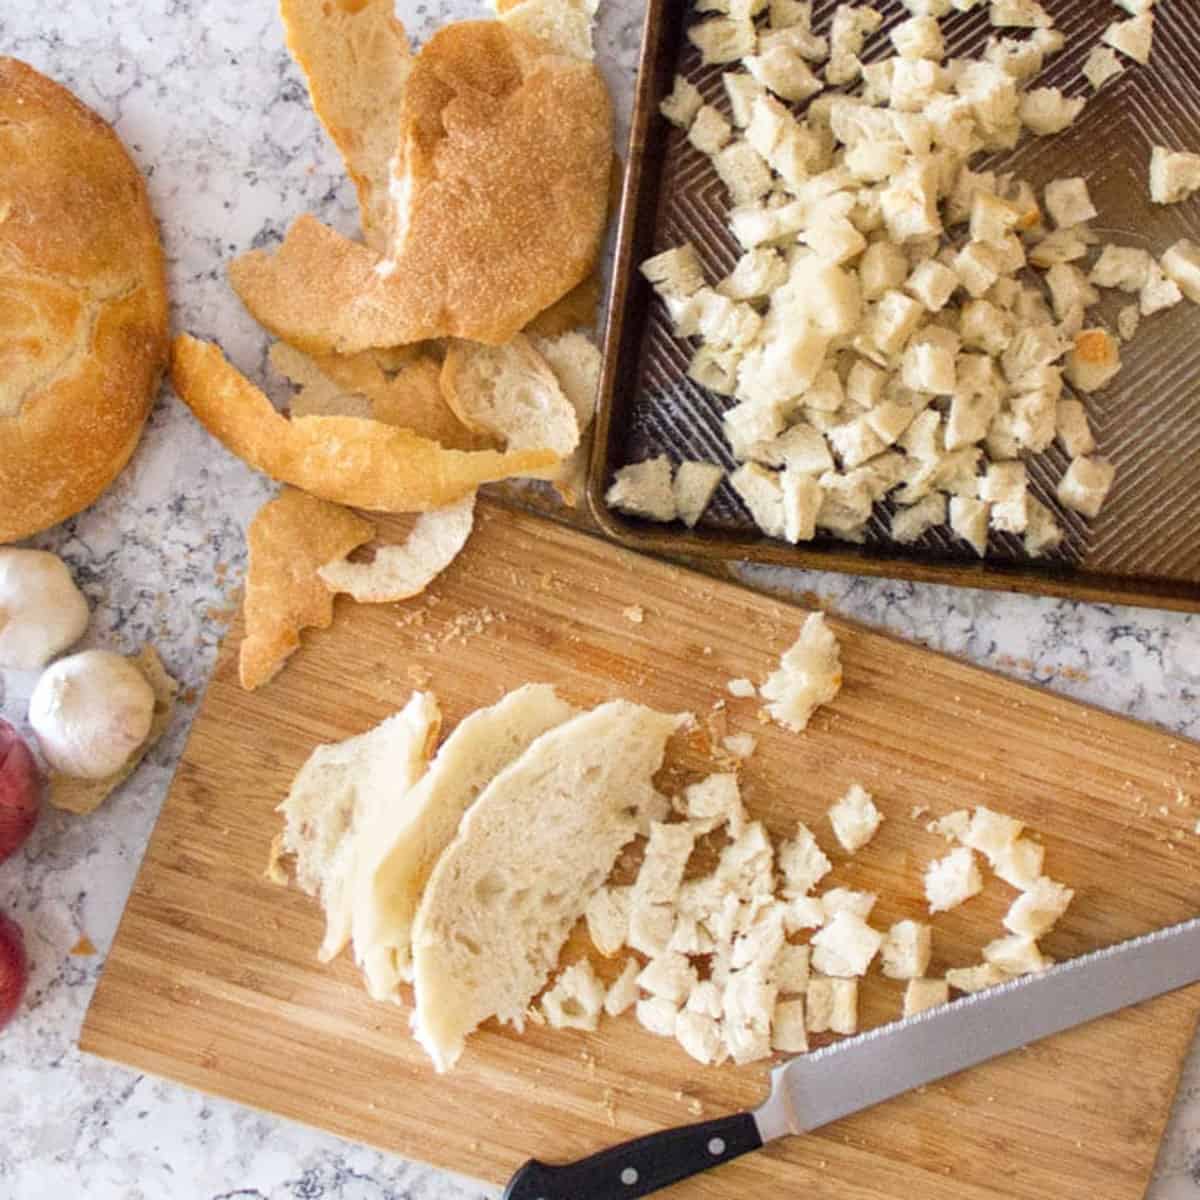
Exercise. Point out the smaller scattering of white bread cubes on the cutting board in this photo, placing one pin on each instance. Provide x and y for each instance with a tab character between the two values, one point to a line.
721	963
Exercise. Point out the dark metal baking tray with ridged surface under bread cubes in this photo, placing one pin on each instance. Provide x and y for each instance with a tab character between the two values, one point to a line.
1145	547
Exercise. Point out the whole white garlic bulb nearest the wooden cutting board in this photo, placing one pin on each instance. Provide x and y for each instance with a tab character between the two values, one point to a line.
91	713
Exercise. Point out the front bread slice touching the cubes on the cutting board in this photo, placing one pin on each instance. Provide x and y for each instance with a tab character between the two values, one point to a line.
529	856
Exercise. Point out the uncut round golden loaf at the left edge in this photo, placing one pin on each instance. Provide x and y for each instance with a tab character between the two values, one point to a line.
83	304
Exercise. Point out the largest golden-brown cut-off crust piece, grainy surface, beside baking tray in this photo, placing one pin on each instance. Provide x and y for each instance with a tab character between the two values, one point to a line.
506	149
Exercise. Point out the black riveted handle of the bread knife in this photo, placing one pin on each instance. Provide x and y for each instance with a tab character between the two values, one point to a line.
639	1168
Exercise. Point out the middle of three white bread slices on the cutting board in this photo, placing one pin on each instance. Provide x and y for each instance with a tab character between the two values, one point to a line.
404	845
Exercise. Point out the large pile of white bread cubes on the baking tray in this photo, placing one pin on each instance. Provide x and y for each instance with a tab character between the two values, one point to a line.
901	325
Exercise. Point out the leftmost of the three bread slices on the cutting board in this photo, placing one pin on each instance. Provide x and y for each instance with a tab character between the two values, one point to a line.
339	793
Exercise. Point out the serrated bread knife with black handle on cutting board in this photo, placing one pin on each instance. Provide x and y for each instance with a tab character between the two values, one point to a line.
817	1089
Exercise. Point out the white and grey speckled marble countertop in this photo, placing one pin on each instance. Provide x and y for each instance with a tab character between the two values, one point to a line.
217	116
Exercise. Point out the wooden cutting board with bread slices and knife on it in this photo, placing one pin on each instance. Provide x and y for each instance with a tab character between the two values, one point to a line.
213	980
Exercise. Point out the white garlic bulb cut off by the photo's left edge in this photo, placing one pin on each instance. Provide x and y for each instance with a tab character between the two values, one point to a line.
41	610
